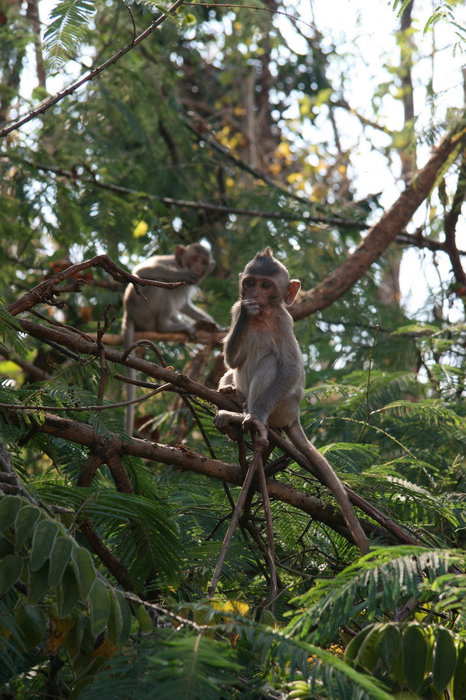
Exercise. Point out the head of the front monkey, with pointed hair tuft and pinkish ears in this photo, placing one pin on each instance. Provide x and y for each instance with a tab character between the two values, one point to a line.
266	279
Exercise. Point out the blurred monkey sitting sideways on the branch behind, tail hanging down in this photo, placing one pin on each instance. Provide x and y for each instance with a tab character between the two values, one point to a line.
159	311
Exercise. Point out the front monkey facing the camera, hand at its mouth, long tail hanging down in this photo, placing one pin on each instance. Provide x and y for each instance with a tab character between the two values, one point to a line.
265	369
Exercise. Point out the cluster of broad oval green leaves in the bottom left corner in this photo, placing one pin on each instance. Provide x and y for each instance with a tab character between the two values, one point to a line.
50	588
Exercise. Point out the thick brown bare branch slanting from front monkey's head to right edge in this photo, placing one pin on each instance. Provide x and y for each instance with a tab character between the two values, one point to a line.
379	236
